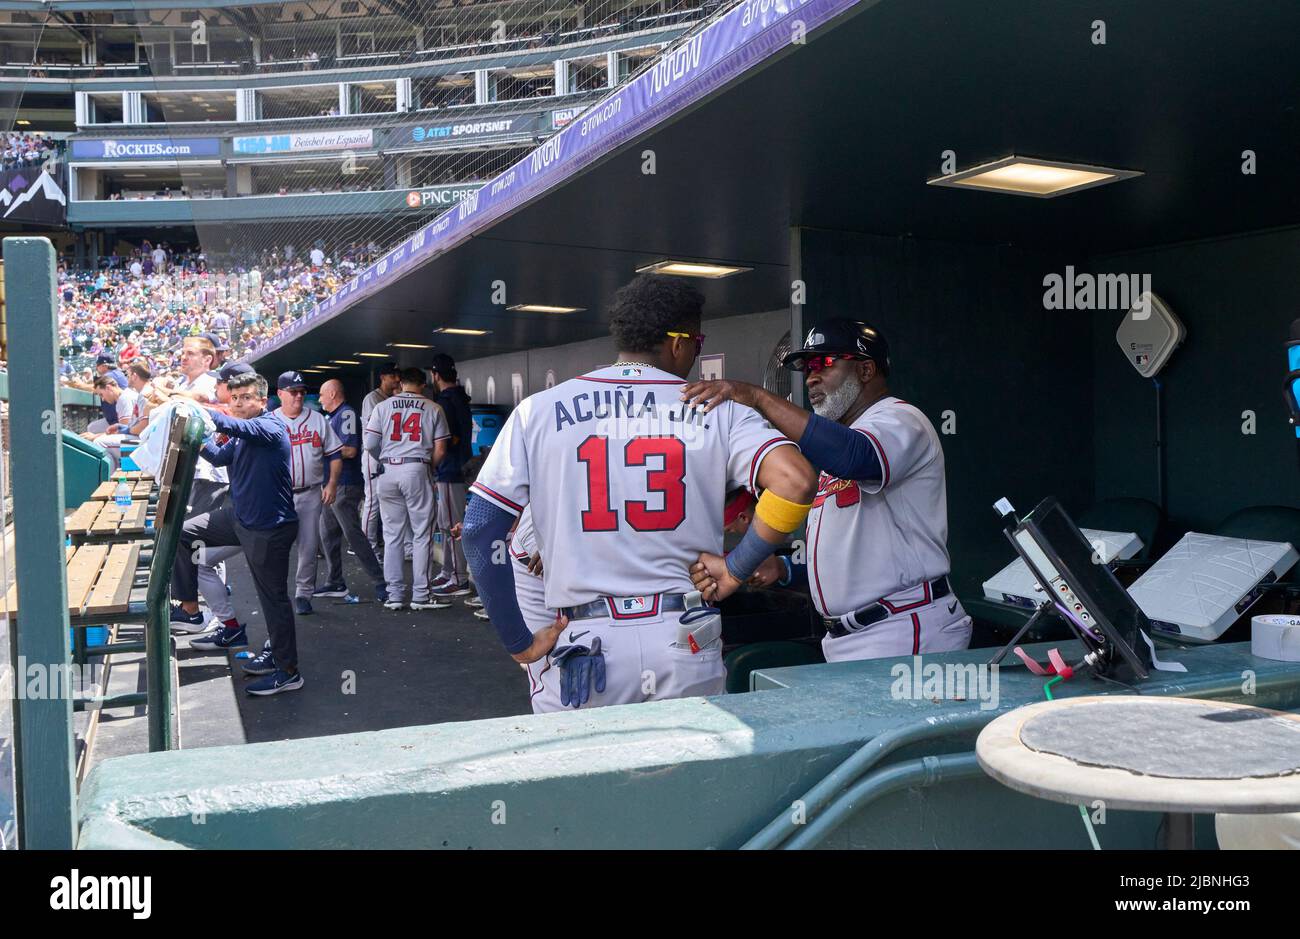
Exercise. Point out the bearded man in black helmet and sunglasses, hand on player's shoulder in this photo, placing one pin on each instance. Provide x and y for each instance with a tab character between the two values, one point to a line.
878	534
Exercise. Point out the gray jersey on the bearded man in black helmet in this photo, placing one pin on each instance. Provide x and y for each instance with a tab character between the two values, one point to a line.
870	539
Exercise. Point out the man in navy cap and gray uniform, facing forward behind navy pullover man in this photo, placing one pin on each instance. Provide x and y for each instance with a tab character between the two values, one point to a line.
314	447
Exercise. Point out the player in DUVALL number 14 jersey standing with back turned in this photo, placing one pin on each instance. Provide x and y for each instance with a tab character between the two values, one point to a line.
408	435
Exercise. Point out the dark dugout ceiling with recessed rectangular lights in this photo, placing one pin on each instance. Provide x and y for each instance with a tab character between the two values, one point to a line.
843	133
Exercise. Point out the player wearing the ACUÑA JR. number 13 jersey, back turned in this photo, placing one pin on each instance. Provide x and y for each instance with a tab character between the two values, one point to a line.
626	491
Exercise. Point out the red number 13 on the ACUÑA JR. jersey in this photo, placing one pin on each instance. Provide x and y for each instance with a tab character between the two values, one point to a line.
670	481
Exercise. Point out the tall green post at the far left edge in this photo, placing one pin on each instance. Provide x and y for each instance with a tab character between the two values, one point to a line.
45	751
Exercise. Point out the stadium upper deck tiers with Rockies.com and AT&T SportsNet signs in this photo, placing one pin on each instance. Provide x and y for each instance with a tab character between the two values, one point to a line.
362	110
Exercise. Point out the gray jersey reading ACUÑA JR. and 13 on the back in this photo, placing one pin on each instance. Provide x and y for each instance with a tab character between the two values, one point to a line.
626	487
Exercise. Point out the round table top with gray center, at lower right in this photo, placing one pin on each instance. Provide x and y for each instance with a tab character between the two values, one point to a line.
1149	754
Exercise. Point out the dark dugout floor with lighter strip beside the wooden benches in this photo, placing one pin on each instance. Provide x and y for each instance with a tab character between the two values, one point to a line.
365	668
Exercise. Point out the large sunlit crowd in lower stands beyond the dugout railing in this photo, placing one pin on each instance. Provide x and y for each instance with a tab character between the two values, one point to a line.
144	305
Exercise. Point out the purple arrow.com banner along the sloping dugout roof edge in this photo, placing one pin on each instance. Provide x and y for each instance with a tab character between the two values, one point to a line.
687	72
